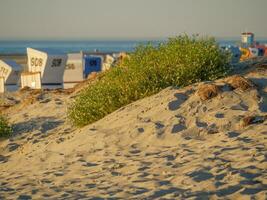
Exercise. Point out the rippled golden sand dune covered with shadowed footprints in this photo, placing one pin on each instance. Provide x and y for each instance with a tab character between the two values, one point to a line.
172	145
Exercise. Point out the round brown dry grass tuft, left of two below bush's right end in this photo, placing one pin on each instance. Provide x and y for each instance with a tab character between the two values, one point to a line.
208	91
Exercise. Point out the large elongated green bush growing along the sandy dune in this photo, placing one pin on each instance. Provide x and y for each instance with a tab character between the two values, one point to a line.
178	62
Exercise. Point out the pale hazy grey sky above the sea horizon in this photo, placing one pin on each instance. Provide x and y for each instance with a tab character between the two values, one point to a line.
129	19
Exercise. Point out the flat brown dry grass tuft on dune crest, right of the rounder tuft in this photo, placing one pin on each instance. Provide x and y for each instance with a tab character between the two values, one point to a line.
239	82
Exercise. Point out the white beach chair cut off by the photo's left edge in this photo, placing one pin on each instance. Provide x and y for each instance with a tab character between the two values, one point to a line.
9	75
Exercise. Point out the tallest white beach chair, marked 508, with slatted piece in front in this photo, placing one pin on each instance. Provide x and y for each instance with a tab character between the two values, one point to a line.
50	65
